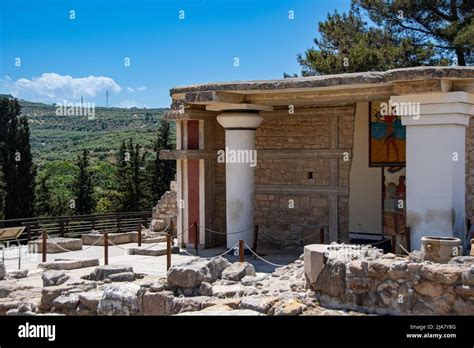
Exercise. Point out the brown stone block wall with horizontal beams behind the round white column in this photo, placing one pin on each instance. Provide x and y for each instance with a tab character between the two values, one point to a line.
296	192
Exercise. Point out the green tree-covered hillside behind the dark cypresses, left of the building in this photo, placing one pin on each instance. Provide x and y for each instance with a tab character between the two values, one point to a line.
57	141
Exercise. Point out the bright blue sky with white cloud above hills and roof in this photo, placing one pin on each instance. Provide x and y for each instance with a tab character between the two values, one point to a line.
63	58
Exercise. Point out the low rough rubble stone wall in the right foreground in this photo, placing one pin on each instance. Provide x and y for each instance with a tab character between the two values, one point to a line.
362	278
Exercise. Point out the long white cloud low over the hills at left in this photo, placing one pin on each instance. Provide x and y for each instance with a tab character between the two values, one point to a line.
50	87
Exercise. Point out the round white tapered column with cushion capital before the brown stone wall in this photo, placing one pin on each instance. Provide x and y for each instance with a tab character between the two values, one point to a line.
240	157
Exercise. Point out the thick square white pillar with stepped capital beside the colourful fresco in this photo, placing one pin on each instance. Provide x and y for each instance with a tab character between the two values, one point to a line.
435	162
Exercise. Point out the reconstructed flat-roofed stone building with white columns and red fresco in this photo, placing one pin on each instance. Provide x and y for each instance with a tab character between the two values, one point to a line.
320	144
